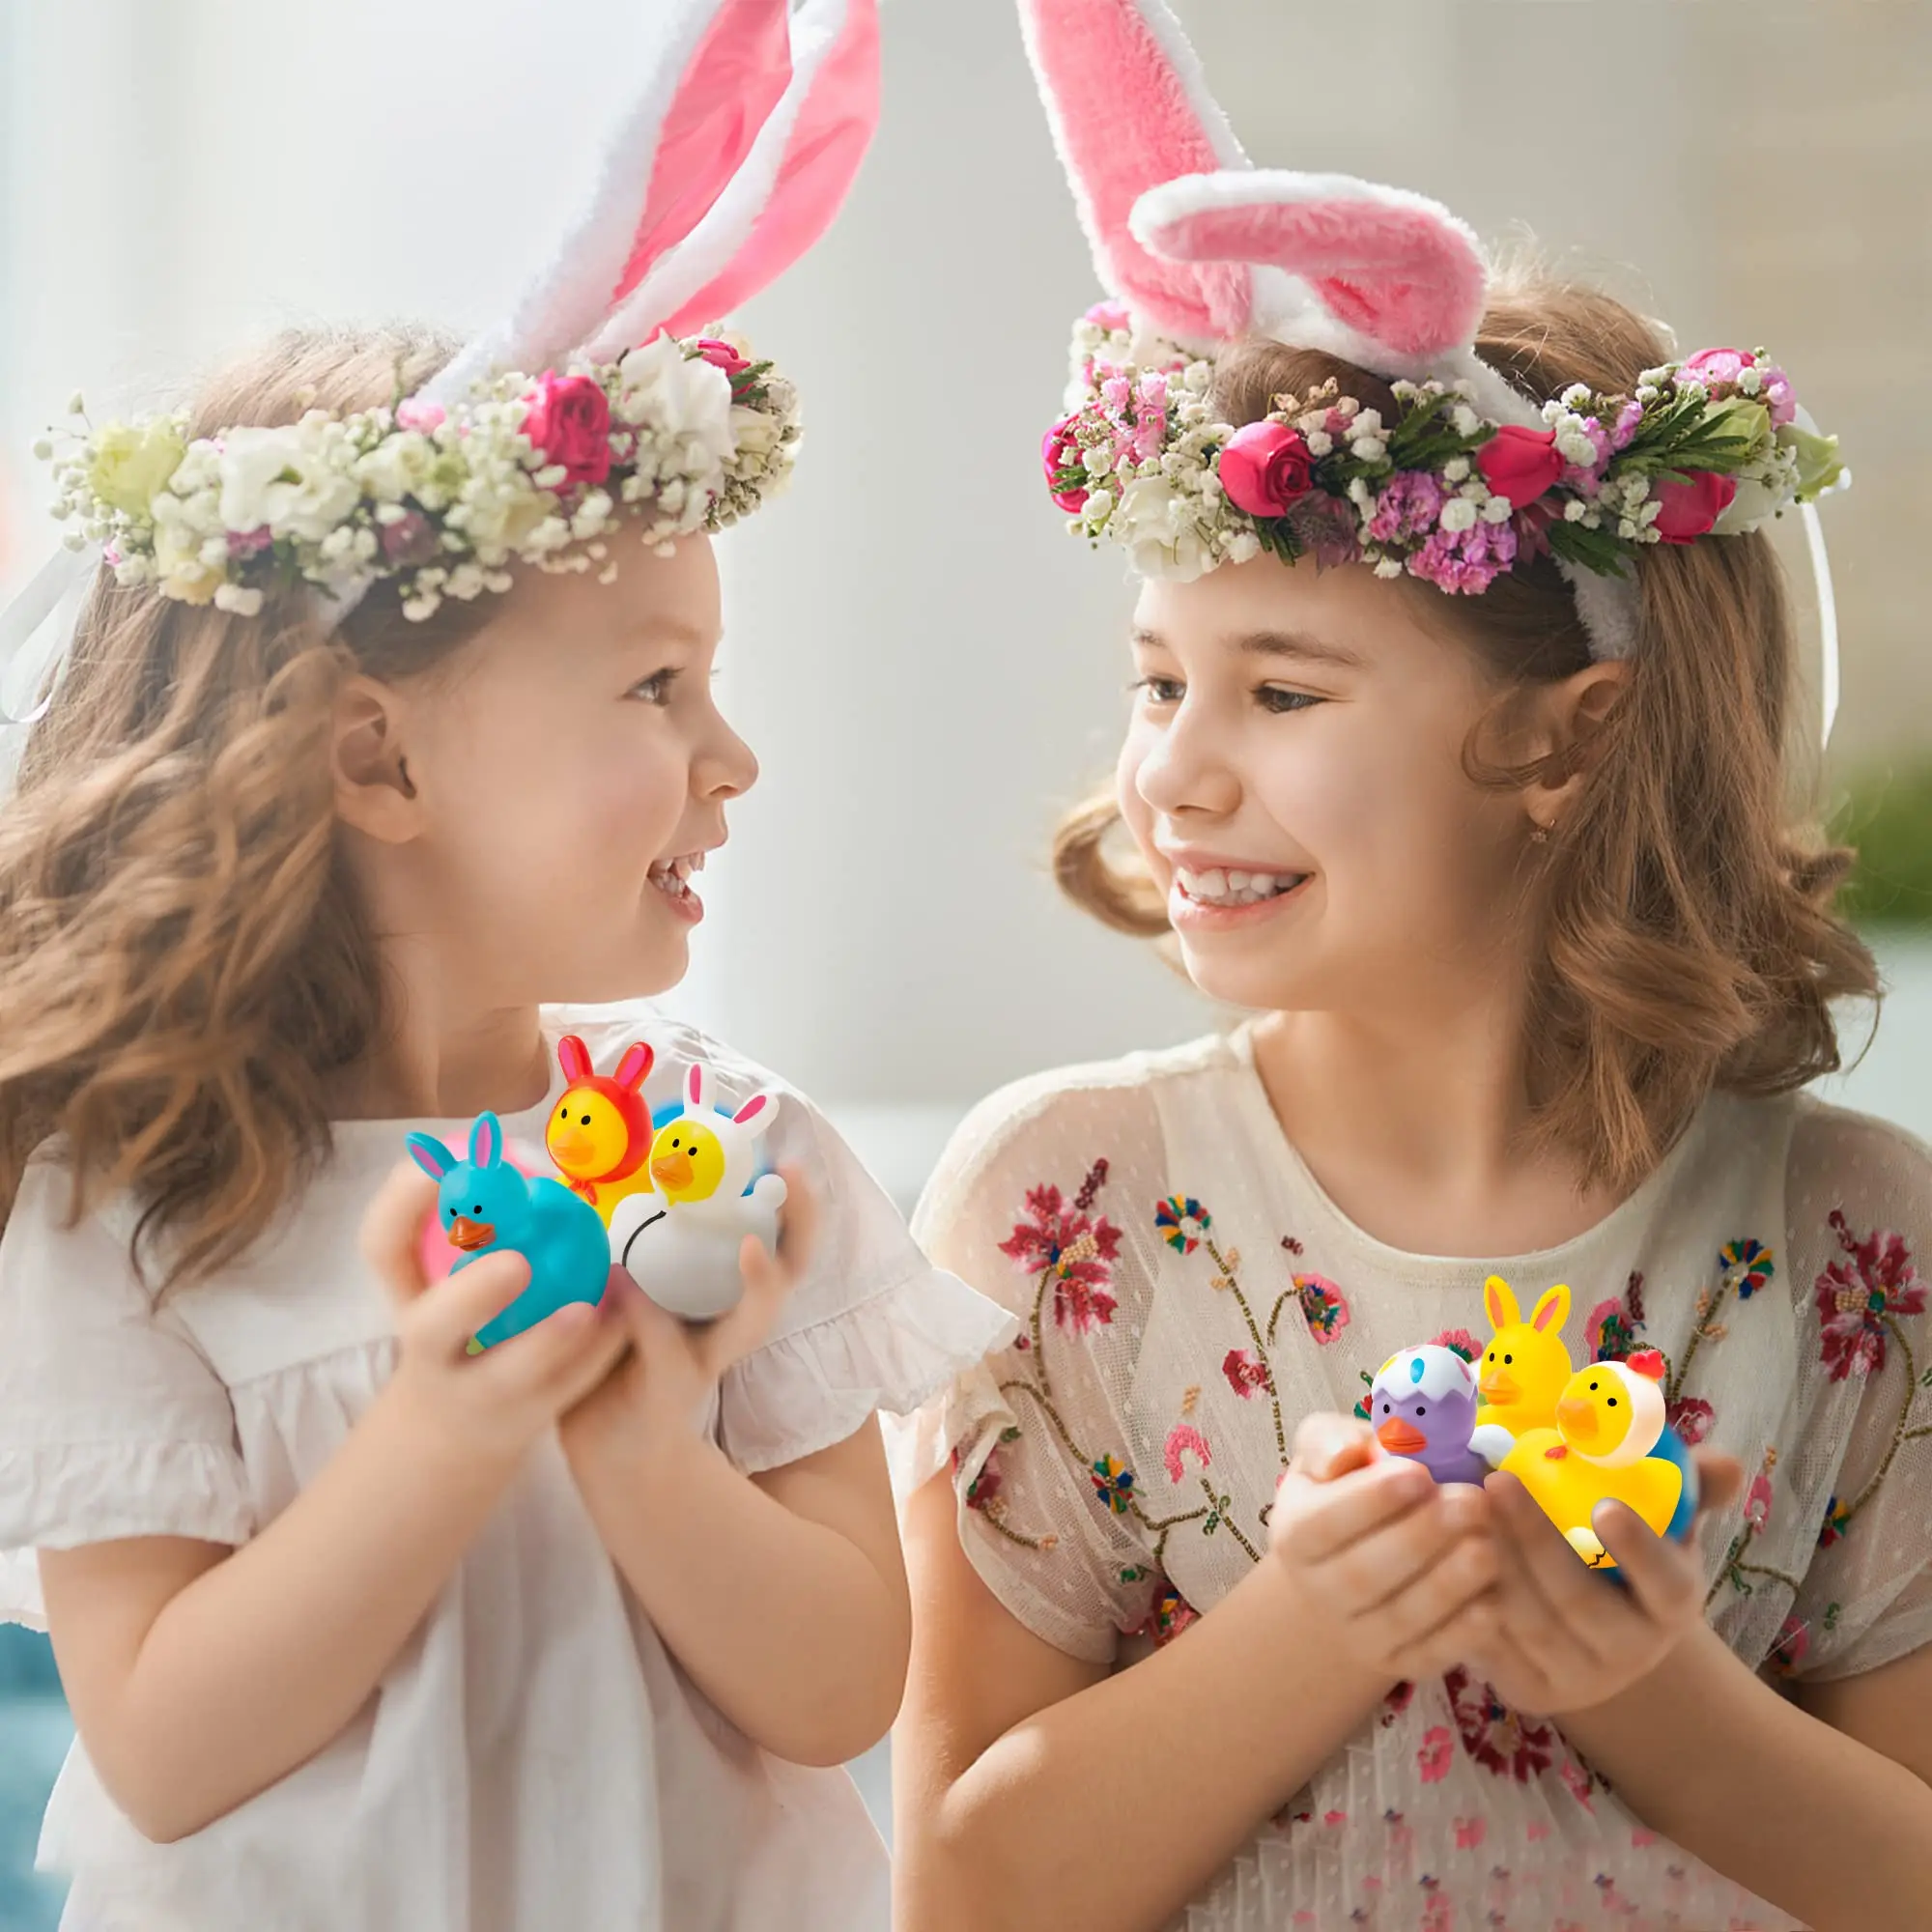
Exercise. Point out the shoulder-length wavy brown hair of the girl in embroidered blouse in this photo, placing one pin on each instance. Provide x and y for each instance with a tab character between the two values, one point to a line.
1686	921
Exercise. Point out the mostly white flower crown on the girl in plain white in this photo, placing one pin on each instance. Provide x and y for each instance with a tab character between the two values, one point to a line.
679	436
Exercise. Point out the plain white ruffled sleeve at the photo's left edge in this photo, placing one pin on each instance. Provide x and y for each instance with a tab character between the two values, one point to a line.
111	1421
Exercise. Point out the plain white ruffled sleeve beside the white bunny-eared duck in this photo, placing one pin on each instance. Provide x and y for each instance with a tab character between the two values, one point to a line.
874	1326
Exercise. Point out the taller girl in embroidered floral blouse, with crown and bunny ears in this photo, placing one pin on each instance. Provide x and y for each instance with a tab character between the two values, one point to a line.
1489	841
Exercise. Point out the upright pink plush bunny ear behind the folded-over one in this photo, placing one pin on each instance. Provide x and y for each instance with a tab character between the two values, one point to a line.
1131	111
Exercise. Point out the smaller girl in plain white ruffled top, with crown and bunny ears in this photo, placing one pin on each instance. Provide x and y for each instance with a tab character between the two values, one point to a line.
382	762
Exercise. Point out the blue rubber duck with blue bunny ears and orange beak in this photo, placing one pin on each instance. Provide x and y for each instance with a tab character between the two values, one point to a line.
490	1208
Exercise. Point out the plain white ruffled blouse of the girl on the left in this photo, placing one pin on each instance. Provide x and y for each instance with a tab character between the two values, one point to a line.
534	1759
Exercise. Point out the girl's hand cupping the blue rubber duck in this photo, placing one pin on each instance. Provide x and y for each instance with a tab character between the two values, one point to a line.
499	1402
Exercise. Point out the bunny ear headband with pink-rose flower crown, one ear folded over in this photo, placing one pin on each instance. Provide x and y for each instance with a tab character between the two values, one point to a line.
1201	250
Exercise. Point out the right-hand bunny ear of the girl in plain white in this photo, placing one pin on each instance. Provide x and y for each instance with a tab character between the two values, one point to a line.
793	183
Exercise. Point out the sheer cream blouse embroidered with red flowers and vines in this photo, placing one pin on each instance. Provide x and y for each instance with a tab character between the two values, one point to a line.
1191	1293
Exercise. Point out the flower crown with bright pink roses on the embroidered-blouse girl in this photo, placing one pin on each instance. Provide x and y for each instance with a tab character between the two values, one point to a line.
1705	447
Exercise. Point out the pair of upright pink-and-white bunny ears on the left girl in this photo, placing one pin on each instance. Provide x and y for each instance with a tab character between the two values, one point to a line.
745	140
